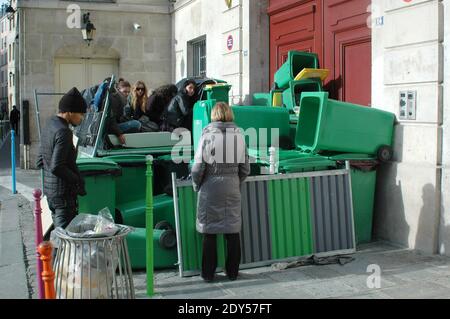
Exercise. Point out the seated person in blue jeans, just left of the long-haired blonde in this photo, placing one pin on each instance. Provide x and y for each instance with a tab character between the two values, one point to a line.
118	122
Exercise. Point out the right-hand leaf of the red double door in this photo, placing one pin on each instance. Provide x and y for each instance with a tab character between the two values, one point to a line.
348	47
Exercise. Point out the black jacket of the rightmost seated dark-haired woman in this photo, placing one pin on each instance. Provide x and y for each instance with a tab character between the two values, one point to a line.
179	112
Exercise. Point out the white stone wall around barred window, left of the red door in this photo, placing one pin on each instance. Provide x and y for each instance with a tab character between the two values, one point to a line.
245	66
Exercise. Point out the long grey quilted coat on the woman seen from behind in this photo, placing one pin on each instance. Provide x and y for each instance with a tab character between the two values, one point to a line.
221	165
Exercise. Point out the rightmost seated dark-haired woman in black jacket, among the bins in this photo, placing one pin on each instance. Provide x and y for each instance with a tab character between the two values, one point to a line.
179	111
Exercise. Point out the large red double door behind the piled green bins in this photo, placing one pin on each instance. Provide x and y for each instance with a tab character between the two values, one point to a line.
334	29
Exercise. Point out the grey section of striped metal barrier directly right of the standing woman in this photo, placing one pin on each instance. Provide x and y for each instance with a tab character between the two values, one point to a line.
255	234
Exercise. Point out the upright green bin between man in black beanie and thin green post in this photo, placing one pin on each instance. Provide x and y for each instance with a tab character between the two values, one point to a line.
100	184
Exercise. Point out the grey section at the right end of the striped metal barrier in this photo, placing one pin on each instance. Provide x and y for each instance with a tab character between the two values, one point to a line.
331	208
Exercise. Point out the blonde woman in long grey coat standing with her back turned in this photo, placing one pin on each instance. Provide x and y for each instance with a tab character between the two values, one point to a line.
221	165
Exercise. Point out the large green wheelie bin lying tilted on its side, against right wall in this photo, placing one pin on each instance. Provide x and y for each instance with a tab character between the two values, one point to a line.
330	125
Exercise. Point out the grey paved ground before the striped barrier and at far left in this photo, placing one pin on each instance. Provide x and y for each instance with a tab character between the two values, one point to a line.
404	273
